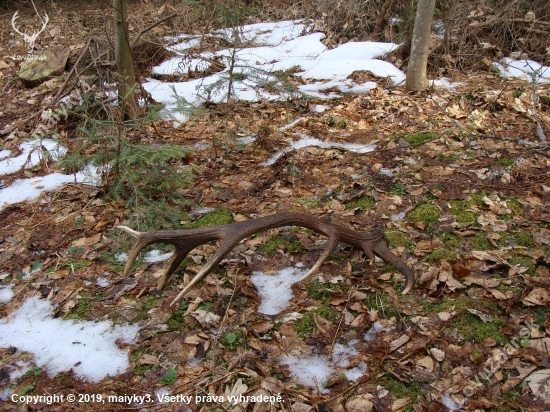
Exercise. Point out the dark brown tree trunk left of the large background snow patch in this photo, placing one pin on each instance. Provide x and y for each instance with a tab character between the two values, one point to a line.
124	61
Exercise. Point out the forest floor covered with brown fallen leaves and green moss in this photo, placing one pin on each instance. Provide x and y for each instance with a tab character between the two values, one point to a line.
459	182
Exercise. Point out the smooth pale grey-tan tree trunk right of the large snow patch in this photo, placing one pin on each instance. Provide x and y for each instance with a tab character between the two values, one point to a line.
418	60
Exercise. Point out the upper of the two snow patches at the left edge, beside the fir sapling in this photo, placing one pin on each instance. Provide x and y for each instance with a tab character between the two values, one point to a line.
31	153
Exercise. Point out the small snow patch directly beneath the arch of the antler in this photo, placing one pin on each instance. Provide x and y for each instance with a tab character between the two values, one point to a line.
275	289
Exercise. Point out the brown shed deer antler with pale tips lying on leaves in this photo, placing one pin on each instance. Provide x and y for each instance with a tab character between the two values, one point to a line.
186	240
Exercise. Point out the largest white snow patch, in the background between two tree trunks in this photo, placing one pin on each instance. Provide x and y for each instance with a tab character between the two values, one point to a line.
273	47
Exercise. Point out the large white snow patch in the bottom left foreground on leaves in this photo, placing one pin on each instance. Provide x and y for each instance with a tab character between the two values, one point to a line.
88	348
